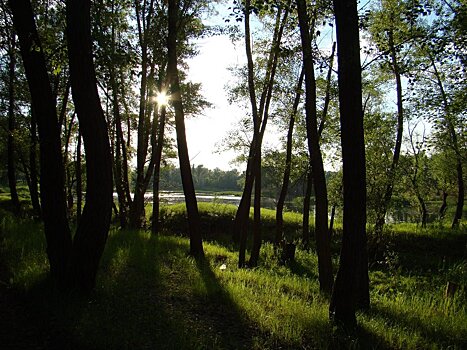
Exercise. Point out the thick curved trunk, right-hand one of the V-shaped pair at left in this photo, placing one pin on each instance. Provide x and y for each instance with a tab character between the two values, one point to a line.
93	228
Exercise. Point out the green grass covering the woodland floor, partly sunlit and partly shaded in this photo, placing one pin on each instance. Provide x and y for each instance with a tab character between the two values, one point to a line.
151	294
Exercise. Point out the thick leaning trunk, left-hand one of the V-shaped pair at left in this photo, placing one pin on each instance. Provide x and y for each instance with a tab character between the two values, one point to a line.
52	183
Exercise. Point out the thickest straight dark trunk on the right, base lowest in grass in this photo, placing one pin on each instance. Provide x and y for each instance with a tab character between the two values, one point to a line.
351	288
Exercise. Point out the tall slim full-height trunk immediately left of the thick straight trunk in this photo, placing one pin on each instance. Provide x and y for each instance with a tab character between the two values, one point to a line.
321	201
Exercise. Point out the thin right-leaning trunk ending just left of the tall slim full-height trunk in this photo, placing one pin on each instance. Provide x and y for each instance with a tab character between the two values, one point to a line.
288	163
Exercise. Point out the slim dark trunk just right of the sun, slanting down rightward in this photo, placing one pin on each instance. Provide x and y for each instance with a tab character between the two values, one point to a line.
196	243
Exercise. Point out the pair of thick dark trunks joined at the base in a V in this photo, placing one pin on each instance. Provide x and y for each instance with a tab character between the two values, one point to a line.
73	262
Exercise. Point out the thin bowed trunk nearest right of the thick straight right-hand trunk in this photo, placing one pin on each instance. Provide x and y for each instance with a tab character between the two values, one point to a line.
382	210
